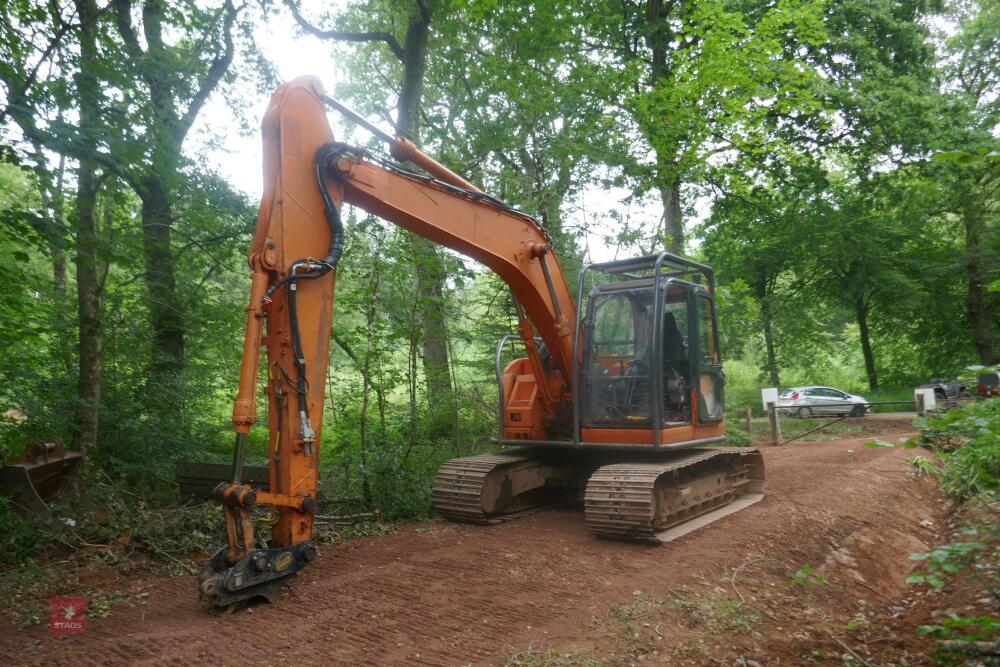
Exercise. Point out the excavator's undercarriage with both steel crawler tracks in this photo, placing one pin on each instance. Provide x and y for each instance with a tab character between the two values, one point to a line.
642	497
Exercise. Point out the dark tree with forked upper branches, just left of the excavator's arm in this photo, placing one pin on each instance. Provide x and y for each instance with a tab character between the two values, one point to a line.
178	78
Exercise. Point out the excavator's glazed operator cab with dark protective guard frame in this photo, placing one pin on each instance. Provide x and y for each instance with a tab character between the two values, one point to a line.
649	347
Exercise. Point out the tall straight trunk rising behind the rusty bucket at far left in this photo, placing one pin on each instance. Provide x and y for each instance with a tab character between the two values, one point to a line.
87	282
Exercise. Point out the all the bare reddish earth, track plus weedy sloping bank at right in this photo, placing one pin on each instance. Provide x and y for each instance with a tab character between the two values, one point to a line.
812	573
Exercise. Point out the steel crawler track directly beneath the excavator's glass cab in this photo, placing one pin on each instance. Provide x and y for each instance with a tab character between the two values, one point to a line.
657	502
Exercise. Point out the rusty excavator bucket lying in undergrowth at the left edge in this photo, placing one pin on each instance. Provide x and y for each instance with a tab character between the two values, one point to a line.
39	474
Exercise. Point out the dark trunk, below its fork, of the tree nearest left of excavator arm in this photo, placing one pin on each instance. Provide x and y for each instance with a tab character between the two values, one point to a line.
165	312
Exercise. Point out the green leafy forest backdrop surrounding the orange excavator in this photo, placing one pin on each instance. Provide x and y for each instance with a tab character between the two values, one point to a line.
835	161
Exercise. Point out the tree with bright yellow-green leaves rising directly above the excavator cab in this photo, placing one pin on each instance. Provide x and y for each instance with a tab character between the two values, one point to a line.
703	80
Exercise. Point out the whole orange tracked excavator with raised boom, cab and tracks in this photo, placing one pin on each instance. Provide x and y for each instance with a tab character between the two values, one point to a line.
618	397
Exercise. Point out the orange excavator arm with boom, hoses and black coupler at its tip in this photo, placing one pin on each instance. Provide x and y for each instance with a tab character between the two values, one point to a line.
293	259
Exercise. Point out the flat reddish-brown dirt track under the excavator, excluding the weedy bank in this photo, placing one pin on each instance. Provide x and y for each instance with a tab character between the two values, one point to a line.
443	594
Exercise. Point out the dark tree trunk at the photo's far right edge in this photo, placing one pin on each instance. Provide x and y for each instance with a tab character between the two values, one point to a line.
981	305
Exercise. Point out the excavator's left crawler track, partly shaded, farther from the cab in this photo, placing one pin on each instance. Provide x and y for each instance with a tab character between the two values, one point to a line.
491	488
